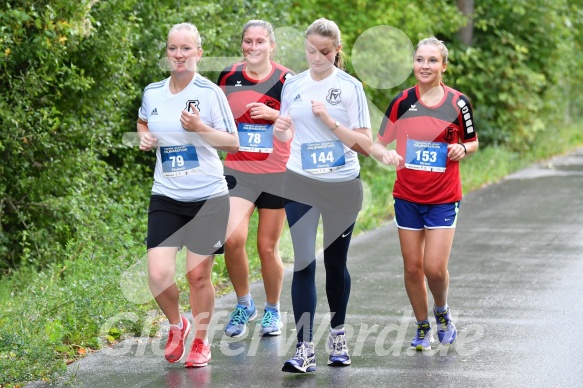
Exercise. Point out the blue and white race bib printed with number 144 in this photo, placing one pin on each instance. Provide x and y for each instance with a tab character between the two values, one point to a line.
322	157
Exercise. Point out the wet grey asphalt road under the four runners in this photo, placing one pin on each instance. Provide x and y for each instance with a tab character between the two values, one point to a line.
515	292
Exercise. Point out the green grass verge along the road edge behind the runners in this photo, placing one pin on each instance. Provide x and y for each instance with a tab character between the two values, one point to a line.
49	319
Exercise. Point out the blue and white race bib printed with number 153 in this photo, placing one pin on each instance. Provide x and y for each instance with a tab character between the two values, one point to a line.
426	155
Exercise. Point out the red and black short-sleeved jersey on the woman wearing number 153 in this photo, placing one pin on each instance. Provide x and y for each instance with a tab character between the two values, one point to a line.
410	122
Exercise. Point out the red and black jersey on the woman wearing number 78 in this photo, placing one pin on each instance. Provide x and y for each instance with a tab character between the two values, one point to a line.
242	90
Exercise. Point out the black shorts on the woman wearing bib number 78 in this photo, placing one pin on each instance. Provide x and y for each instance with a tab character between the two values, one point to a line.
263	190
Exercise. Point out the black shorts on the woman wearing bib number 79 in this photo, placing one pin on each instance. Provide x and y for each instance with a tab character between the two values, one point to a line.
201	226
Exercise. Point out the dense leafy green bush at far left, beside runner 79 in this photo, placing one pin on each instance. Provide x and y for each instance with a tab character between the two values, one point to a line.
63	77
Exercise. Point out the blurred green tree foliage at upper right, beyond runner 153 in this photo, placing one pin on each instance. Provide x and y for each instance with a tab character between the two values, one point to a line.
517	68
